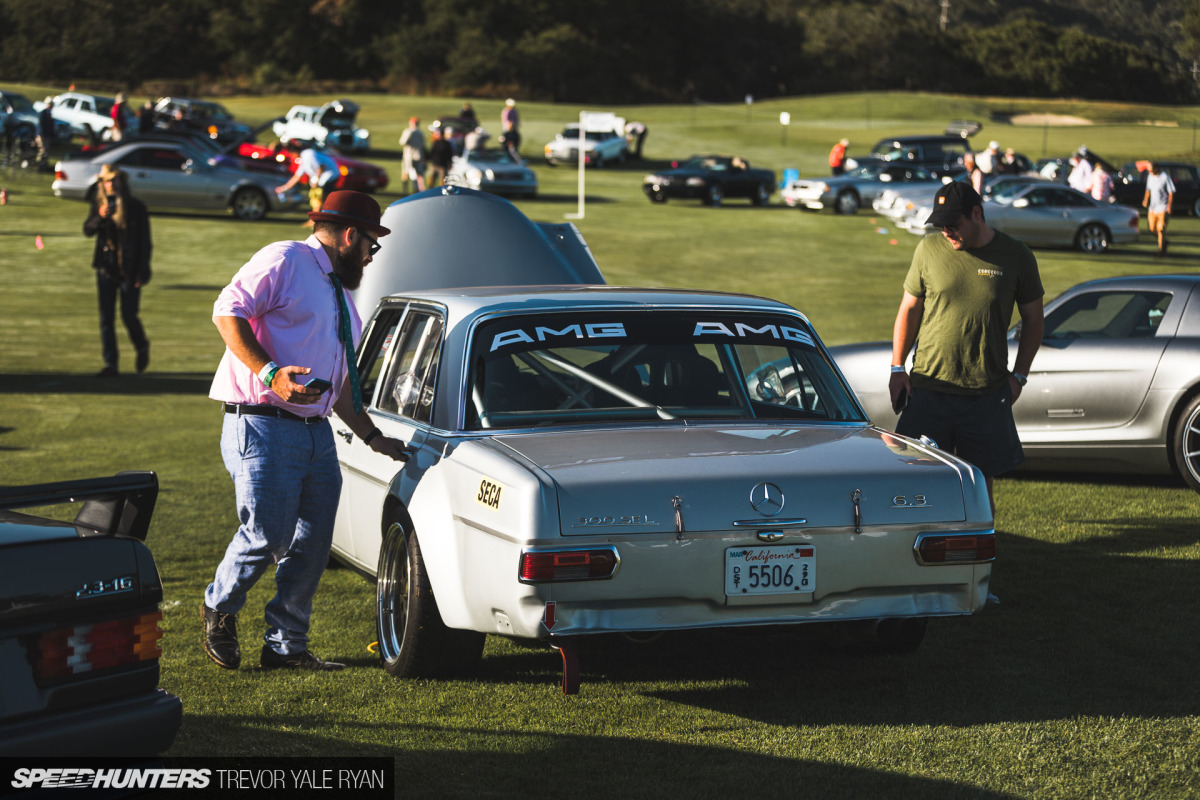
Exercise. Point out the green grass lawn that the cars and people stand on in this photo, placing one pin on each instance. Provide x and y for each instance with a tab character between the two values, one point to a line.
1083	682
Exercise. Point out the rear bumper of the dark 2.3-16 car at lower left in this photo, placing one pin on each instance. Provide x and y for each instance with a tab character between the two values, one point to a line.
145	725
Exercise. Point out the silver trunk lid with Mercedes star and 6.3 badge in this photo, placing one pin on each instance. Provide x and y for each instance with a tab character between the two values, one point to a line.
625	482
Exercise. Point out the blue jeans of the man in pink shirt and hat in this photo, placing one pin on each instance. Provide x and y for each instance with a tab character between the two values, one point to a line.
287	483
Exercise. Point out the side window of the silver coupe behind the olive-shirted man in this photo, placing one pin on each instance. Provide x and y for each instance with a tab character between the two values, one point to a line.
1108	316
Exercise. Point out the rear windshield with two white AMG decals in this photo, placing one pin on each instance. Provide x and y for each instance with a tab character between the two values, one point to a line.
651	365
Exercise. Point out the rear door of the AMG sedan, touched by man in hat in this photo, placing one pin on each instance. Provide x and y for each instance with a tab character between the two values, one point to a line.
399	364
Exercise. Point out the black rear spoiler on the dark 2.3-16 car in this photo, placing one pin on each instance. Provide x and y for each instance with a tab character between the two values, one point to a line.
118	506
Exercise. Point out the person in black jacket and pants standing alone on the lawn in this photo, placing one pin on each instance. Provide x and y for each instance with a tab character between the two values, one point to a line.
122	260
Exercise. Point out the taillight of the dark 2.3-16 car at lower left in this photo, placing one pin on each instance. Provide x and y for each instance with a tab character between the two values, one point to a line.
88	648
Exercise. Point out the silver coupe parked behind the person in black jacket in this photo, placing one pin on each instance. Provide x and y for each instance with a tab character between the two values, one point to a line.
178	175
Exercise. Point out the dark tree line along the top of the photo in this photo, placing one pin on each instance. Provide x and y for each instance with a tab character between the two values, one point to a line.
617	51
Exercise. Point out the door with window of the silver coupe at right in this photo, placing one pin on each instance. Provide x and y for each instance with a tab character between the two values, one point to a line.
1097	360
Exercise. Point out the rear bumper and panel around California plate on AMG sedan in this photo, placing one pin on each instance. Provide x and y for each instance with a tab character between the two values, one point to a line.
664	585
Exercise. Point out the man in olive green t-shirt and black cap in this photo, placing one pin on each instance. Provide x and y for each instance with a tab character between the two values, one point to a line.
959	296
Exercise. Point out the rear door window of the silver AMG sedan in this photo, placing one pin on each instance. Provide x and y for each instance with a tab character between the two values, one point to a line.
409	386
